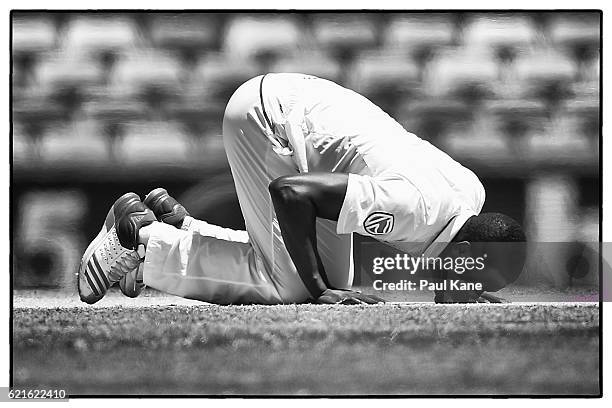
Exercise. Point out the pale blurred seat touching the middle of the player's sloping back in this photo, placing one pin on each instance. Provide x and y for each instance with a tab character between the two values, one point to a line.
385	78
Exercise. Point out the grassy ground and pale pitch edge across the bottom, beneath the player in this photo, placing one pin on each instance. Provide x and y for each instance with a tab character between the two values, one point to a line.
158	344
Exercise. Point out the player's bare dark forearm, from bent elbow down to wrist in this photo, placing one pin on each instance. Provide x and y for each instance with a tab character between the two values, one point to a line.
296	216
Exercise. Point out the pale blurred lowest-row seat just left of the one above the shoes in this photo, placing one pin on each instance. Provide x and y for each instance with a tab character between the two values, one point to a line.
74	142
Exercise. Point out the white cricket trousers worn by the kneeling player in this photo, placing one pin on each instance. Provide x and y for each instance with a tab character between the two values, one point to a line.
222	266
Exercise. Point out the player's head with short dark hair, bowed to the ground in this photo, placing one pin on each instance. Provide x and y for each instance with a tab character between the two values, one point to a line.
497	238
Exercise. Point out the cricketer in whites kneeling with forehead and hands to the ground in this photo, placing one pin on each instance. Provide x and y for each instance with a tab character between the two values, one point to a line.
313	163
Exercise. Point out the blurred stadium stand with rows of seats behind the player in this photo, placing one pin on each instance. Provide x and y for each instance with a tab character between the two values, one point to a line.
108	103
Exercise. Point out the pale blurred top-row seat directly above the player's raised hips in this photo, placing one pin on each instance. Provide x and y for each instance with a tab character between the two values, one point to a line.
261	38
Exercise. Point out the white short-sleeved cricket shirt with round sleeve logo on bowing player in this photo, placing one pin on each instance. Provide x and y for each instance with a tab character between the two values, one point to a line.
402	190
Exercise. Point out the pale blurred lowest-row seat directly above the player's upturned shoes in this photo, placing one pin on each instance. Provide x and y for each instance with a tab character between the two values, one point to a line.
153	142
